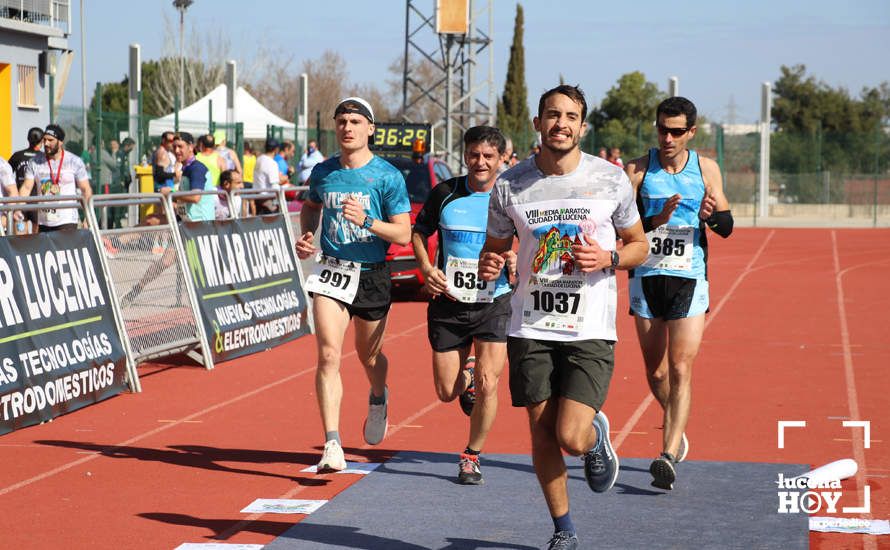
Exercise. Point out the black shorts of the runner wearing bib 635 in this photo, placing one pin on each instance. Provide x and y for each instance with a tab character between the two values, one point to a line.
454	325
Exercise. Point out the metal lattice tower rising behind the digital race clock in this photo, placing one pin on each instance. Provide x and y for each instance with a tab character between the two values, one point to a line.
462	99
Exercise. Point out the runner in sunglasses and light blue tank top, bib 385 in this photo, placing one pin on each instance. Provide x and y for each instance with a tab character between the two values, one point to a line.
678	193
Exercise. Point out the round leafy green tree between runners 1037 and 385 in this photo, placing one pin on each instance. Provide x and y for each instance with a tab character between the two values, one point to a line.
624	118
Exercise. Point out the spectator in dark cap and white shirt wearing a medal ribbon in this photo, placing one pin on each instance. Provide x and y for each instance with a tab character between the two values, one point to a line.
56	173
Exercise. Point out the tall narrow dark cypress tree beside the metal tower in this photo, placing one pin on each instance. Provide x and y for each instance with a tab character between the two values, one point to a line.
512	108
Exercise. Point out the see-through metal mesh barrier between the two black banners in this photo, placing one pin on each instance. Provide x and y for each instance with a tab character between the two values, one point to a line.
150	275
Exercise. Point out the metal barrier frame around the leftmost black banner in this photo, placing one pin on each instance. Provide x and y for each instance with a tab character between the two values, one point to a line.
30	204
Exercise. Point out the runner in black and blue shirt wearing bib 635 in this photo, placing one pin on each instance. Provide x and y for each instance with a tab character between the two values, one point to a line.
465	310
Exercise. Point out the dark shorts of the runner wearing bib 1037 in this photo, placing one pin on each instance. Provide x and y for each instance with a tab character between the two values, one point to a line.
541	369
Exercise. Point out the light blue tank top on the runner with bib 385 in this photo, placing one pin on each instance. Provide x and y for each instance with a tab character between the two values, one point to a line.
658	186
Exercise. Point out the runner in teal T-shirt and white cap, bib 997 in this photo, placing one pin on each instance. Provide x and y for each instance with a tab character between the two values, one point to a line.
363	205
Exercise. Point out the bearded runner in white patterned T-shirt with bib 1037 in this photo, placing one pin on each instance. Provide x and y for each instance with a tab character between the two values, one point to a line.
565	206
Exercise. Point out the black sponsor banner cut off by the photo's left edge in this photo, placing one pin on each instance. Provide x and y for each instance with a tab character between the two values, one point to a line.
59	345
